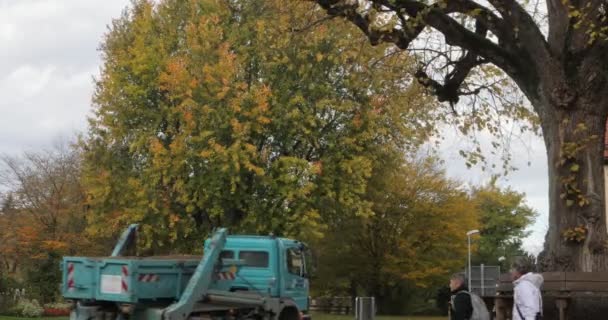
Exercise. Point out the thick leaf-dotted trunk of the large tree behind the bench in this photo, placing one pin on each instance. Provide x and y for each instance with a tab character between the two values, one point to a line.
576	239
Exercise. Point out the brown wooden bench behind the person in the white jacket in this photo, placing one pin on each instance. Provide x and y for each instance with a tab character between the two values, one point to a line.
560	286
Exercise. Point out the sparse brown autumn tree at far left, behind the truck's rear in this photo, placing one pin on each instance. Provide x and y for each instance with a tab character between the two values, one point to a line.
44	189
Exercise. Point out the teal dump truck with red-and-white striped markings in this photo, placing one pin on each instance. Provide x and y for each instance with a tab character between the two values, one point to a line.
238	277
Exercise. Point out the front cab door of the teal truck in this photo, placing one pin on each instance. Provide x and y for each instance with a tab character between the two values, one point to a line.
296	283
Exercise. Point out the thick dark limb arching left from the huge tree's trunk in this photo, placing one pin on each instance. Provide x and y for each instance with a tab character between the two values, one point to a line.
521	51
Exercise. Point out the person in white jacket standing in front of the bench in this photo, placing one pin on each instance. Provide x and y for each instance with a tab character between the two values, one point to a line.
527	298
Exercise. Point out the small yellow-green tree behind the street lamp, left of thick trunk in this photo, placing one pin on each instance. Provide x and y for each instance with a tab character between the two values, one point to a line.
504	219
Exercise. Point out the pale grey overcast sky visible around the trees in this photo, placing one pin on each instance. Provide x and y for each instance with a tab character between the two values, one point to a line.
48	57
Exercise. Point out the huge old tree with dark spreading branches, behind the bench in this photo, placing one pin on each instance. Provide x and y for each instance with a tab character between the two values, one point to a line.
559	65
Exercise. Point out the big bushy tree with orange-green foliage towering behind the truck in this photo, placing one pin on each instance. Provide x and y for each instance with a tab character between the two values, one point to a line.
215	113
